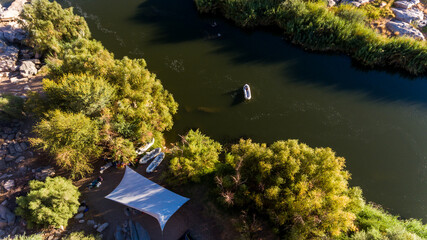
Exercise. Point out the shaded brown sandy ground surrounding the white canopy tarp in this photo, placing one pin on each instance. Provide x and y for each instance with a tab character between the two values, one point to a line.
202	219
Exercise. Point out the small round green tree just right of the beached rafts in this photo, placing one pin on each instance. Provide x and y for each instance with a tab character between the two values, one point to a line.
196	156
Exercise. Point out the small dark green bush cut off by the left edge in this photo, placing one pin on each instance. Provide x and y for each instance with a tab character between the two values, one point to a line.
11	107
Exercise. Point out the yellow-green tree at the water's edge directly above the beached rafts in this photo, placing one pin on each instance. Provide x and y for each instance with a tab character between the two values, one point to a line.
144	108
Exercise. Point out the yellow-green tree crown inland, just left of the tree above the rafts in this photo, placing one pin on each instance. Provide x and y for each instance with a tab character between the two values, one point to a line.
79	93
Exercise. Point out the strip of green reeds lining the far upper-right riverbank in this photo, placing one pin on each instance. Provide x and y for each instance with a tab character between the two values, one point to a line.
314	26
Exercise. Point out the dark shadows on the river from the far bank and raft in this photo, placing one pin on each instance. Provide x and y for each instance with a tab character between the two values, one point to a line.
178	21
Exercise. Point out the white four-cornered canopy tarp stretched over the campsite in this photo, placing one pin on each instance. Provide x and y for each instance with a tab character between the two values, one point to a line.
138	192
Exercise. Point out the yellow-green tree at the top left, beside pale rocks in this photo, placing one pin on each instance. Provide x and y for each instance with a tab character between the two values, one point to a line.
49	25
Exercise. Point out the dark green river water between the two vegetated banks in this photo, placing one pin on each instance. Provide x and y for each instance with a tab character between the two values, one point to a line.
377	120
